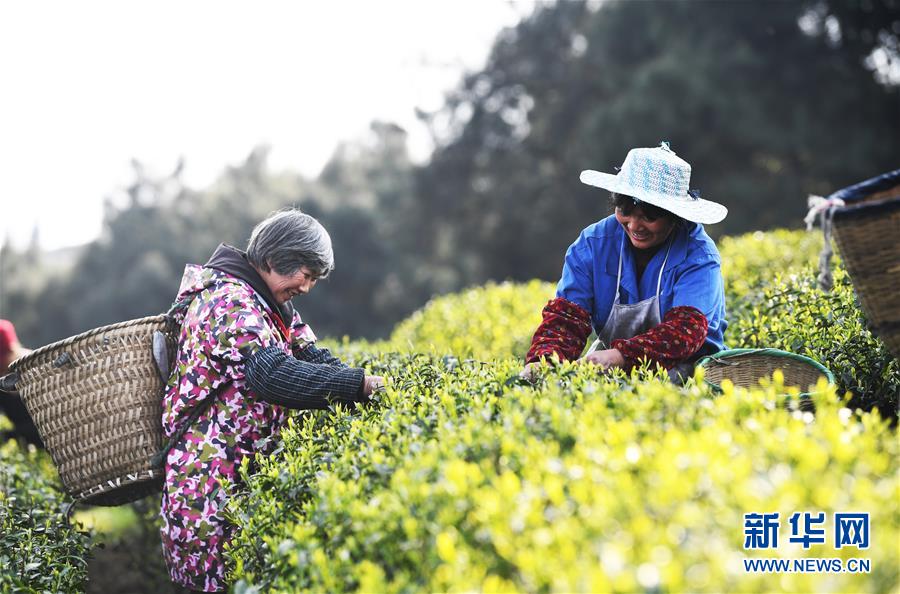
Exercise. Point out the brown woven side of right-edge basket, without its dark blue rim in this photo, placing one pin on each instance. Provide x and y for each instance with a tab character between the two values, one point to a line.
870	248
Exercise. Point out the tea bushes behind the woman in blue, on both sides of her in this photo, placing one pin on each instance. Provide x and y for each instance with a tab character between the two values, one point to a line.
772	301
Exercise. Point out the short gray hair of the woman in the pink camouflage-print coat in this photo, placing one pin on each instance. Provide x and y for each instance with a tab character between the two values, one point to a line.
288	240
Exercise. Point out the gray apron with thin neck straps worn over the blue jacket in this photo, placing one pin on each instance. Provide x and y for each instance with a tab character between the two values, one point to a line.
627	321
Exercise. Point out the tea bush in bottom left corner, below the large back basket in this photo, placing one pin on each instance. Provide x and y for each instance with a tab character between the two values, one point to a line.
39	550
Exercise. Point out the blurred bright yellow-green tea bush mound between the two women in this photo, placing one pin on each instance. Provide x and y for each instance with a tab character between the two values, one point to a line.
490	322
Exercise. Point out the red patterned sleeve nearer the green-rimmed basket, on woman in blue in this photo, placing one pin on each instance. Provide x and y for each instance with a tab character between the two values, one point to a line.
680	334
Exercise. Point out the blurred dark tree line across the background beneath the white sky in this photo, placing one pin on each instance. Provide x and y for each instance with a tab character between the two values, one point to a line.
768	101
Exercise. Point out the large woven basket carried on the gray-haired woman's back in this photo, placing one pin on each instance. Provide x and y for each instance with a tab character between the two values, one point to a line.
96	399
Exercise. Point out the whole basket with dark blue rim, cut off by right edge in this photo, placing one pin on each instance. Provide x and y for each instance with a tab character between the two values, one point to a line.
867	233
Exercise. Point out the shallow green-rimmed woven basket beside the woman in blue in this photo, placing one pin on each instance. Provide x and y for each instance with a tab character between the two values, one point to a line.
745	367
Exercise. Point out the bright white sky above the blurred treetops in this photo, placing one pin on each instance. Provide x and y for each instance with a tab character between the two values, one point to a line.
89	85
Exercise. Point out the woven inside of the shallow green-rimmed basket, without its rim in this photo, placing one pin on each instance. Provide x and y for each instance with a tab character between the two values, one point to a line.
746	370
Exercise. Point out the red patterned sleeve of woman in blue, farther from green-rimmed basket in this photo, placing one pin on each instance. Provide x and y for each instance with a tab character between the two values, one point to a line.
563	331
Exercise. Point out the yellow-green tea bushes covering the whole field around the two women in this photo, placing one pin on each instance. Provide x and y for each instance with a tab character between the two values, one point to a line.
460	478
